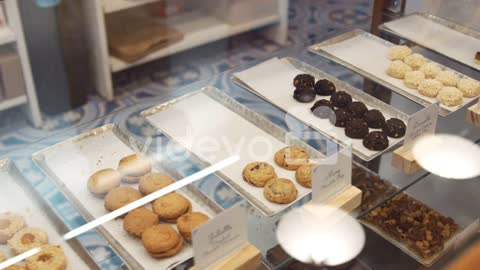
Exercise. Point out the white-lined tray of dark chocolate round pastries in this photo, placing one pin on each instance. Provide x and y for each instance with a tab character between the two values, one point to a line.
332	107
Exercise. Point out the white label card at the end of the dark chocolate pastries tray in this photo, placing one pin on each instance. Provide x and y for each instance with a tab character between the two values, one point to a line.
419	124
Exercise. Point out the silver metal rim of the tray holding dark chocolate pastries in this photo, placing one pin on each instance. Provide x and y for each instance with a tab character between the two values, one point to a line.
354	92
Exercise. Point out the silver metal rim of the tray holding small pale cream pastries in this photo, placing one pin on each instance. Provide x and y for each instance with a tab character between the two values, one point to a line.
318	49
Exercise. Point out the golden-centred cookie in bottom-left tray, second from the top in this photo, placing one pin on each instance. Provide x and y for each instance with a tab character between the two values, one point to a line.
26	239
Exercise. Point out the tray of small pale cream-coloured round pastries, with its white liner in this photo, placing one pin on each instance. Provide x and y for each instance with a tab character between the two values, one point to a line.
400	69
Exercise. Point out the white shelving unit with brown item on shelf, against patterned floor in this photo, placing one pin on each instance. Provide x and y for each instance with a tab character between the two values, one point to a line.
198	28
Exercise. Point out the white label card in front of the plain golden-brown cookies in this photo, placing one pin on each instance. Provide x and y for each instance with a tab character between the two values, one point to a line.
220	236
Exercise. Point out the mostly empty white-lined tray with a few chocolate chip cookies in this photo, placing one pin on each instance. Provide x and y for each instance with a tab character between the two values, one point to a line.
275	167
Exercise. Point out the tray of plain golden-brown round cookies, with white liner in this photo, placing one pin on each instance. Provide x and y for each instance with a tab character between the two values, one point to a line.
103	170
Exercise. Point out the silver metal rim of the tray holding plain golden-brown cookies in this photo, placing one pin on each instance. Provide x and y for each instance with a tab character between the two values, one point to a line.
190	191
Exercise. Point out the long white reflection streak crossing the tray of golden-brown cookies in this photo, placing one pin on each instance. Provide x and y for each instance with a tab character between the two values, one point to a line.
170	188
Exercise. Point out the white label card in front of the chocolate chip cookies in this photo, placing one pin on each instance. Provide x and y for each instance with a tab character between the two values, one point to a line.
332	175
